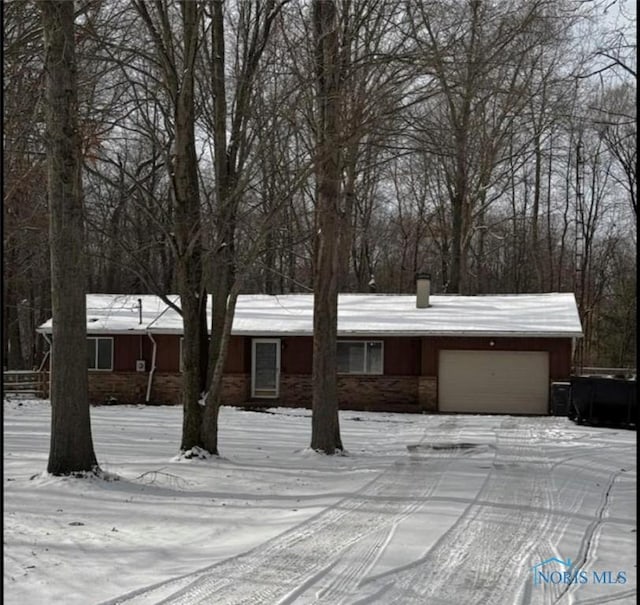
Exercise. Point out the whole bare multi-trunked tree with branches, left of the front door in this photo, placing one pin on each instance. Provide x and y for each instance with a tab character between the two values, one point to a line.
183	93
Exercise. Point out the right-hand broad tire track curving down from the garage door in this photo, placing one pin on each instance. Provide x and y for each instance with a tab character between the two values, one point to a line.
482	558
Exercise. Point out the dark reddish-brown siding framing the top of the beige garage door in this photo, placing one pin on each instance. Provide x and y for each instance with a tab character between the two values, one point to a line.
559	351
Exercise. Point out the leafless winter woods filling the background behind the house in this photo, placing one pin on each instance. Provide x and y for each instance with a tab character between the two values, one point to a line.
279	146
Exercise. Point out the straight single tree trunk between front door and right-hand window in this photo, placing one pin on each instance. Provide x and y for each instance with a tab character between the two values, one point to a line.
325	428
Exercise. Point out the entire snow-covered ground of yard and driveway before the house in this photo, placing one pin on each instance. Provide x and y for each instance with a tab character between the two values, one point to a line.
428	509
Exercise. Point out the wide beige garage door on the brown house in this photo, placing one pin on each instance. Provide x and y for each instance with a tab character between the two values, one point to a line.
496	382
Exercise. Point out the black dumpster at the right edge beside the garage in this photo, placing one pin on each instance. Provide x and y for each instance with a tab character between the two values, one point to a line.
603	401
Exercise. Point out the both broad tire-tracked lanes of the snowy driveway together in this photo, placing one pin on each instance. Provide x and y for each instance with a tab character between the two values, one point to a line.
484	558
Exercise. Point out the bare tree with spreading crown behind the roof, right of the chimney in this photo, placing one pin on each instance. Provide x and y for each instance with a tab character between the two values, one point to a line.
479	58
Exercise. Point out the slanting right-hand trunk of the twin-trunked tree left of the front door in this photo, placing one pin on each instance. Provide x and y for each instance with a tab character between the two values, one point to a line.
233	131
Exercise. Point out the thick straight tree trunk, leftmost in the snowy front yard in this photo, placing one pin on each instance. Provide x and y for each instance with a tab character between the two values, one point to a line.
71	448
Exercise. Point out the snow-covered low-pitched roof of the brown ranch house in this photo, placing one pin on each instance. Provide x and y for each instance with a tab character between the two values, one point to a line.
535	315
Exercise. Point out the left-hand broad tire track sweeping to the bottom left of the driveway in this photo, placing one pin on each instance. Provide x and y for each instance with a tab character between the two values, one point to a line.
284	567
